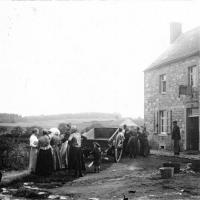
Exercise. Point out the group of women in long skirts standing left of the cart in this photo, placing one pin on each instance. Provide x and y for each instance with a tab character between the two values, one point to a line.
53	151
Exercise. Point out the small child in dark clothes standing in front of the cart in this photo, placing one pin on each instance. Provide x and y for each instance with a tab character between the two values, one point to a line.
97	157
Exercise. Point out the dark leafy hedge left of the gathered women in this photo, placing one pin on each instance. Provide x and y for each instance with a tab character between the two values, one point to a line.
14	147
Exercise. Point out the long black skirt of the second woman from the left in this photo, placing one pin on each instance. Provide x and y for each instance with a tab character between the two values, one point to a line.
44	166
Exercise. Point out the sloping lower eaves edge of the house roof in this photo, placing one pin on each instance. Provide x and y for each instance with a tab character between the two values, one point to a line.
196	53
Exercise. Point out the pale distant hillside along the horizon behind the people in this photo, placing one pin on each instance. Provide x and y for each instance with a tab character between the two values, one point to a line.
82	120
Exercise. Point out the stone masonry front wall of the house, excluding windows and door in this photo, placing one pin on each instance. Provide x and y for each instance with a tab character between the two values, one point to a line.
154	101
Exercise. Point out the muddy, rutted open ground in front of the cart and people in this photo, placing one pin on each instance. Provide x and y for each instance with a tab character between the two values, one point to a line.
135	178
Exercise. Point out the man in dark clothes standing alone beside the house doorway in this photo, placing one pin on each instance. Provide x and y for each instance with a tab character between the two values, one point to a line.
176	136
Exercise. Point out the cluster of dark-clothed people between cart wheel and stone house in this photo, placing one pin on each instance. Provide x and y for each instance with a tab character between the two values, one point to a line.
135	142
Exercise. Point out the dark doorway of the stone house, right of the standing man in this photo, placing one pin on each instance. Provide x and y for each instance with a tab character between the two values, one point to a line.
193	133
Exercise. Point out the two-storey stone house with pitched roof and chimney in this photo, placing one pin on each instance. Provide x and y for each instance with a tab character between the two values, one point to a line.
171	91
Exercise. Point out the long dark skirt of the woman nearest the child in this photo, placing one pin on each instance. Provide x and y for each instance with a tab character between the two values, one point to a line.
75	159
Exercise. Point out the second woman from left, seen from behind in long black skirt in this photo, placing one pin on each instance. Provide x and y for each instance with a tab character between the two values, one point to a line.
44	165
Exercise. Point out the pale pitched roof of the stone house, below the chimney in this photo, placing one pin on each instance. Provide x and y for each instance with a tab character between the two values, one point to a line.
186	45
